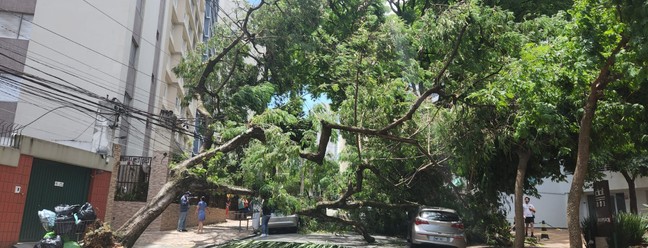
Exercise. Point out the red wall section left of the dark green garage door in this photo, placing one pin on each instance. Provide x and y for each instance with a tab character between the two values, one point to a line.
12	204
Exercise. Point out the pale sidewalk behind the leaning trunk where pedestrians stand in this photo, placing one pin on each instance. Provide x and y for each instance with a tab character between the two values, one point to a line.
213	234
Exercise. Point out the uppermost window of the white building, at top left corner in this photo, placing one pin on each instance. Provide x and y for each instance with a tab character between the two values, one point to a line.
15	25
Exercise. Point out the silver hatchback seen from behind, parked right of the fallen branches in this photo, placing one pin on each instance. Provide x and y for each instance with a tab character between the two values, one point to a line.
435	225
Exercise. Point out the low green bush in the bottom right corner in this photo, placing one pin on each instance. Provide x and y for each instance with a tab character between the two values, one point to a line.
629	229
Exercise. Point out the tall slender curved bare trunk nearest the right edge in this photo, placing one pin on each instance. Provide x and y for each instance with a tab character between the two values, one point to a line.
582	159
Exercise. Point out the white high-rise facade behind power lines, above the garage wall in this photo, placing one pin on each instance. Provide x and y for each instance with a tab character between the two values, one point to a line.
89	73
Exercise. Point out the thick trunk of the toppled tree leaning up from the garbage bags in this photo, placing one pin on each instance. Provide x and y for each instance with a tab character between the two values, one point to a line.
179	181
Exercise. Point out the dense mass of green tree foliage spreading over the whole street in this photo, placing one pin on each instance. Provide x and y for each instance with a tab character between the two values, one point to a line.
446	103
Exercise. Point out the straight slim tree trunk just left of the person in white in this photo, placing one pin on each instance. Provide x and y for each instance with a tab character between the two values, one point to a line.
523	161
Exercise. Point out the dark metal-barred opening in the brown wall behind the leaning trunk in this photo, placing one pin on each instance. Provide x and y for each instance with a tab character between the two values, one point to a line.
133	178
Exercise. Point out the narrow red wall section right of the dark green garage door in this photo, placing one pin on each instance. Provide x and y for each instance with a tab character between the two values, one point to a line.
98	196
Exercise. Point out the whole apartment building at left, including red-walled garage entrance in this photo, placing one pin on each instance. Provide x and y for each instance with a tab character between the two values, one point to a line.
90	109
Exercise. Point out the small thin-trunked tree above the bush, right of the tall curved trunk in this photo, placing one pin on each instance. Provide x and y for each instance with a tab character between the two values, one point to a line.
620	130
